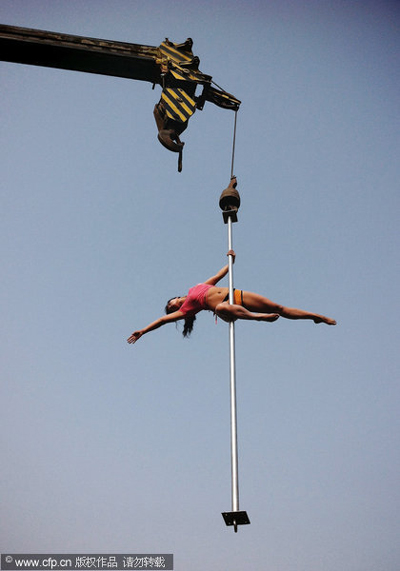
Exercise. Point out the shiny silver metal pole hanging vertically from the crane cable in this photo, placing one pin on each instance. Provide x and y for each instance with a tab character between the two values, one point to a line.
234	454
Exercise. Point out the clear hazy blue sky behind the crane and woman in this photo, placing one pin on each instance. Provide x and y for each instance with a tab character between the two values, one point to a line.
108	447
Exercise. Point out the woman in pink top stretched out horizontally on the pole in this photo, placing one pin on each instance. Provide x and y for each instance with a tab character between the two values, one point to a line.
207	295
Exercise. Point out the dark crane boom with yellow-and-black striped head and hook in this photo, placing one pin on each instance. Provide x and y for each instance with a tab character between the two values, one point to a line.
170	65
